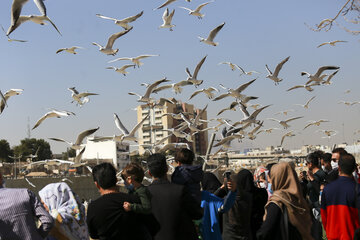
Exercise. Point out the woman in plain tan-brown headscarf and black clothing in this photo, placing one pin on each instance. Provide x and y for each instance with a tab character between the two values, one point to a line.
287	215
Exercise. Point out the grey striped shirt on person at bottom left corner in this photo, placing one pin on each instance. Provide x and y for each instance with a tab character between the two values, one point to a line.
19	207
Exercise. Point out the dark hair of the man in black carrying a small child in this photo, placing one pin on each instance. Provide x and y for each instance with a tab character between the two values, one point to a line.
105	175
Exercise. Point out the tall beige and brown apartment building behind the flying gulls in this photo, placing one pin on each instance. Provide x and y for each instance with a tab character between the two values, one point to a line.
152	129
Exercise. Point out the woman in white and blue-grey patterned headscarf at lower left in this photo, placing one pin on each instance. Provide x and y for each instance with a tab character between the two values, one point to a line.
65	207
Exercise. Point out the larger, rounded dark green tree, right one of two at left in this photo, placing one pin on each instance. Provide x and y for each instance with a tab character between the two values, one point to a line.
29	146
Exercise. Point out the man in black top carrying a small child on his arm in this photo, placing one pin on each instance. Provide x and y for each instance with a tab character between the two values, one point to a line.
106	217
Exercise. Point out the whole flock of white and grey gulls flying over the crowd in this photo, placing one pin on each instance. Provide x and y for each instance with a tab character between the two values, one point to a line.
249	126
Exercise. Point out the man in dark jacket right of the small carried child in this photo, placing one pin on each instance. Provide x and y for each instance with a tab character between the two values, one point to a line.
172	205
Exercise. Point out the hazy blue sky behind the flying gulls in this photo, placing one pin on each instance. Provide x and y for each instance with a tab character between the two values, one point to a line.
255	33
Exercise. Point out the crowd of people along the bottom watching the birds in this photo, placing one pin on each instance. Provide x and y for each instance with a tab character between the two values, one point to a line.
274	202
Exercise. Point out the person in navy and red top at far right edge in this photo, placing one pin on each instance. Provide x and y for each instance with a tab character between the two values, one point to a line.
339	202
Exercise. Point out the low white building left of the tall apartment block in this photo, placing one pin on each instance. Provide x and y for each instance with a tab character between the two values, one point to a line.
107	151
